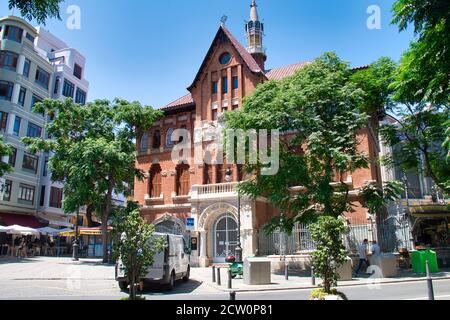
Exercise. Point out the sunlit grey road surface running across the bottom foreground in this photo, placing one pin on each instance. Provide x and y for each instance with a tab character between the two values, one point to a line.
61	279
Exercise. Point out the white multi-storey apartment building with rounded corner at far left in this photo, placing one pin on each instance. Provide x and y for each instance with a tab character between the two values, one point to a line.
34	65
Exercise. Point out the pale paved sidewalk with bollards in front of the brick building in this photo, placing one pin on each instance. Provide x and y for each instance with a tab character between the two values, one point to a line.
302	281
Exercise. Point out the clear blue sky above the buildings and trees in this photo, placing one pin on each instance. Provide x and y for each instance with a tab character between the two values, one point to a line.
150	50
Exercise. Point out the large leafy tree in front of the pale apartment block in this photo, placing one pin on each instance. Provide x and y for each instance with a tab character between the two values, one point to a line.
94	151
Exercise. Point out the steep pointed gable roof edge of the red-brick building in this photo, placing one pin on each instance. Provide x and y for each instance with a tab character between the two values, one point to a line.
224	34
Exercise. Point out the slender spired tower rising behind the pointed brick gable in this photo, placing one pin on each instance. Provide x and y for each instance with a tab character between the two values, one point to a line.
254	30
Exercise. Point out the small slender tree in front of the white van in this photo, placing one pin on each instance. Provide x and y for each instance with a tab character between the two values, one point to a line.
136	246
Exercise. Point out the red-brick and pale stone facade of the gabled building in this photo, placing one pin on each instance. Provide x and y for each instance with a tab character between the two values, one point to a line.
200	109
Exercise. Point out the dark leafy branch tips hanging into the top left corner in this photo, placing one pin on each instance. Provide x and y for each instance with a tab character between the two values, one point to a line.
40	10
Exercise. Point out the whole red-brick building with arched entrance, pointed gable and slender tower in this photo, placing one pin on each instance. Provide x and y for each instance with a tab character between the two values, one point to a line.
173	192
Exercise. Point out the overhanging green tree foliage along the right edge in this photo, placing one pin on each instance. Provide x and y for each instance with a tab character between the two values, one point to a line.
421	91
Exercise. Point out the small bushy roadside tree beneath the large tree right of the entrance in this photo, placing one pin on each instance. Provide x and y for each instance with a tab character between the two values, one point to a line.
330	252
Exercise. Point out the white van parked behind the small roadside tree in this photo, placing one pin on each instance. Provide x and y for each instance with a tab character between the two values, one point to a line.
172	264
